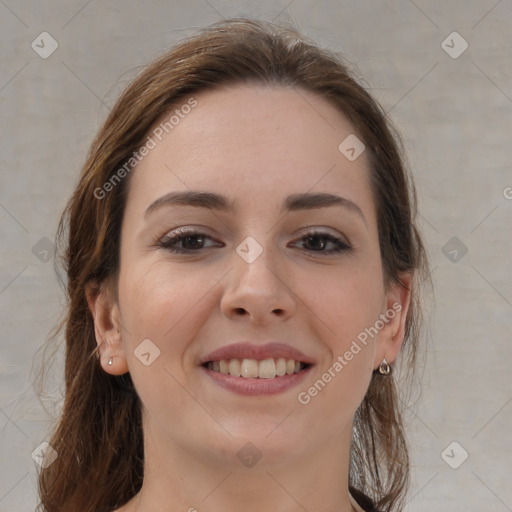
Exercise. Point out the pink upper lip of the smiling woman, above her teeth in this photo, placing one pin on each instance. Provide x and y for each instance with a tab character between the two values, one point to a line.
248	350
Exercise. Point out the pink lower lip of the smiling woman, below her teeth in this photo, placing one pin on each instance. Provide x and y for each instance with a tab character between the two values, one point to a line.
252	387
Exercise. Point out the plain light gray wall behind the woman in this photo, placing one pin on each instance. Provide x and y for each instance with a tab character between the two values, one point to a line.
455	115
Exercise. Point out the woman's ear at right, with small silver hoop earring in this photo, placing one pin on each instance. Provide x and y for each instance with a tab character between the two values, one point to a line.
395	308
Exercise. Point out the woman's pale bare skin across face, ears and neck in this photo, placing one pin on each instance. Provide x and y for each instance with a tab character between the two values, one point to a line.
255	145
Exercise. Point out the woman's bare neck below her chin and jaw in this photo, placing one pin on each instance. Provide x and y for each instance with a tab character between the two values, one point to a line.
177	479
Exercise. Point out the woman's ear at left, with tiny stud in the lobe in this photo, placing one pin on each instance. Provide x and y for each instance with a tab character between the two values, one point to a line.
107	327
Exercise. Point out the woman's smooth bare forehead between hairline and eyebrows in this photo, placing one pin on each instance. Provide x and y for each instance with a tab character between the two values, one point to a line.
250	142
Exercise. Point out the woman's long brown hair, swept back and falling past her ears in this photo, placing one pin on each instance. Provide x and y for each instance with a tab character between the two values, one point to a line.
98	436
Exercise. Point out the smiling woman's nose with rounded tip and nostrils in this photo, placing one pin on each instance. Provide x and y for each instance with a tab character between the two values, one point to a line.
258	291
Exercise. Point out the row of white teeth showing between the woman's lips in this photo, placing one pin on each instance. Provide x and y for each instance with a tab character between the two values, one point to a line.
252	368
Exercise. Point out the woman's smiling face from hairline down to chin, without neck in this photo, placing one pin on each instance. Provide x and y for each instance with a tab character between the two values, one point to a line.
254	283
